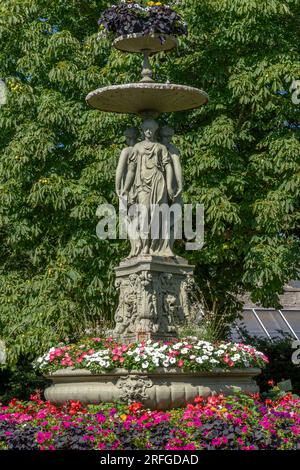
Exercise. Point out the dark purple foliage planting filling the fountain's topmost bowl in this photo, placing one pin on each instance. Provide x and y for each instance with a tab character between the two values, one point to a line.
142	17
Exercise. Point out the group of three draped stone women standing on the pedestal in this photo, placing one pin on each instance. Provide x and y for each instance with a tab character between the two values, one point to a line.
149	179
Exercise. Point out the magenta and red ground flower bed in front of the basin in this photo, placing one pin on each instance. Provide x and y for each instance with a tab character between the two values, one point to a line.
237	422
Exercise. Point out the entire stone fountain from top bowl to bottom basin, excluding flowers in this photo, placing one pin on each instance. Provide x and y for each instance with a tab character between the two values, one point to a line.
153	283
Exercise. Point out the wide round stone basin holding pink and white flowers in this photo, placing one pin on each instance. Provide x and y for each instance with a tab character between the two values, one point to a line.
160	390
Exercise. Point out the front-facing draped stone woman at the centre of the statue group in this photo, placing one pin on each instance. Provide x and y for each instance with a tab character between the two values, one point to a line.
149	179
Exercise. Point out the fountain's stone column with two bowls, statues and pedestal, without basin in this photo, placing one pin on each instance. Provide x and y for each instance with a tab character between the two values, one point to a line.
153	283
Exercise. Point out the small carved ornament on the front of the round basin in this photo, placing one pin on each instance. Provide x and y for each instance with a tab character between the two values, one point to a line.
133	387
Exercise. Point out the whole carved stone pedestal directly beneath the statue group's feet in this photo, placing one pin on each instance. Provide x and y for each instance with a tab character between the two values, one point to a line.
154	297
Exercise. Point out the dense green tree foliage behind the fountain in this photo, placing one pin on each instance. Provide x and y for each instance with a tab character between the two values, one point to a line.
58	157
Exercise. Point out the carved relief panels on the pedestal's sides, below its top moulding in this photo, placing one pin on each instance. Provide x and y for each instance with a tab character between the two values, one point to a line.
150	303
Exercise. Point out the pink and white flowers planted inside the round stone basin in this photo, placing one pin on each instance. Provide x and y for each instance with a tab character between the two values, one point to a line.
102	355
